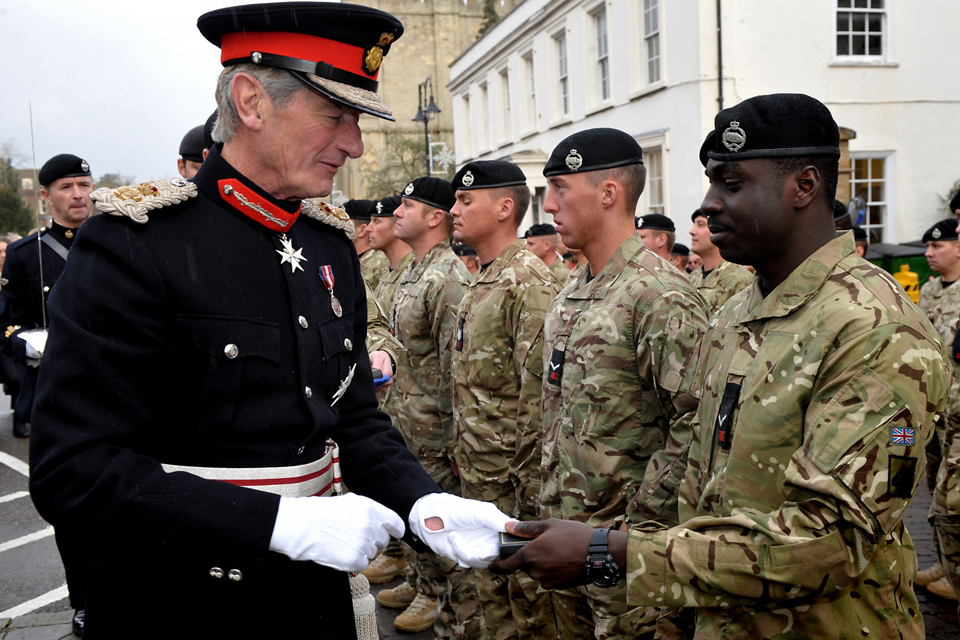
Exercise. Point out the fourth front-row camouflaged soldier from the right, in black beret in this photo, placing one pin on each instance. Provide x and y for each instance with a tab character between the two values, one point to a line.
423	317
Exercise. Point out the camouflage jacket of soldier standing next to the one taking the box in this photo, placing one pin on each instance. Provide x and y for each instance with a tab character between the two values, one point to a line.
620	354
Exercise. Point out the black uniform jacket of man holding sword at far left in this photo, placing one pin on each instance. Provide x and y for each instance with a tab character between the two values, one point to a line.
20	301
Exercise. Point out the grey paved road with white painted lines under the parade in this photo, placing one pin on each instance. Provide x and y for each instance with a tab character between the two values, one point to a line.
33	604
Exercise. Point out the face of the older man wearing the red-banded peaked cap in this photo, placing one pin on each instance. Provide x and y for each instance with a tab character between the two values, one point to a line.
305	143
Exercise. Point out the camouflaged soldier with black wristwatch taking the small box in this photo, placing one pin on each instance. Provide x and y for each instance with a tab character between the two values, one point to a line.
820	386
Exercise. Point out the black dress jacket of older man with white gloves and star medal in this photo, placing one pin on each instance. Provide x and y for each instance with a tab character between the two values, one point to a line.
138	328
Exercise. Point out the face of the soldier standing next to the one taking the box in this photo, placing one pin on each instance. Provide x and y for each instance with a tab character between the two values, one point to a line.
574	205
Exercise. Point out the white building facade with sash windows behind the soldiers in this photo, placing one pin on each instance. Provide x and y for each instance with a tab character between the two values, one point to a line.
650	67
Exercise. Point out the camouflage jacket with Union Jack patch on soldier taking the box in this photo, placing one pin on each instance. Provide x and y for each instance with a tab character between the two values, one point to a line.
816	405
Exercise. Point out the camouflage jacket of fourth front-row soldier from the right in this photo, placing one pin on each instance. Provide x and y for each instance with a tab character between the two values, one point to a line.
423	318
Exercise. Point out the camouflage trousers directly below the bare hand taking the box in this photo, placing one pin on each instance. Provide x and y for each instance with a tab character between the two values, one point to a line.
513	608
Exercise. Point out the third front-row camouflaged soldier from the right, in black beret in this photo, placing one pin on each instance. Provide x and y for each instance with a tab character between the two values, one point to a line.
497	376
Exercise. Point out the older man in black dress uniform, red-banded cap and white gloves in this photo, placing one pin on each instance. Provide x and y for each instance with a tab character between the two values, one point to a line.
212	379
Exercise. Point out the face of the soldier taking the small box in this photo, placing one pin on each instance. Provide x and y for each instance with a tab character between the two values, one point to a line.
751	215
